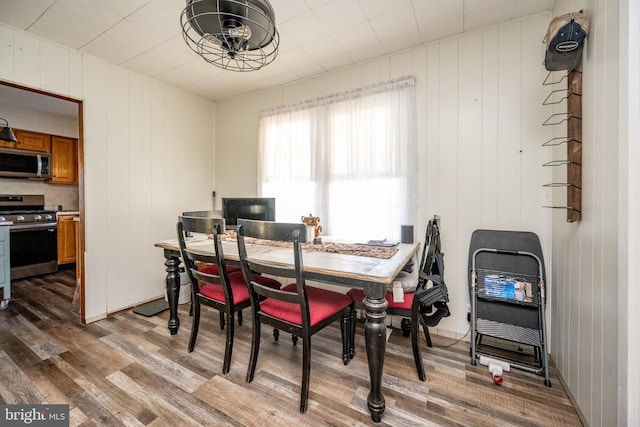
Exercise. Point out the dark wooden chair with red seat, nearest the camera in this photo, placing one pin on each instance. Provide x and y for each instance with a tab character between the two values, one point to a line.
297	308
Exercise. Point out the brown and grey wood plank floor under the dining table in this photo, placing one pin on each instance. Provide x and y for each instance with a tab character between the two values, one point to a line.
128	370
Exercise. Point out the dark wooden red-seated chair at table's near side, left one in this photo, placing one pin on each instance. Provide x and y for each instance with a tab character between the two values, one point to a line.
226	292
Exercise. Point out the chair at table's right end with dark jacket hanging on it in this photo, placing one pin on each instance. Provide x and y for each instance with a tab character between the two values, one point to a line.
413	307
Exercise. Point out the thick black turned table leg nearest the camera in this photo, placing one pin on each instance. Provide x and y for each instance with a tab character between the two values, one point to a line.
375	335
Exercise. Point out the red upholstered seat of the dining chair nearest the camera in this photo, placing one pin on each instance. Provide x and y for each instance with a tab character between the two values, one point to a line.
322	305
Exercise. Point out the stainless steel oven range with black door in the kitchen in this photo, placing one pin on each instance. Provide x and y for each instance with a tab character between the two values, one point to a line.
33	237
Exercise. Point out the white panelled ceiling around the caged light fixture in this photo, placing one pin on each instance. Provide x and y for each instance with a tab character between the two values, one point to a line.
316	36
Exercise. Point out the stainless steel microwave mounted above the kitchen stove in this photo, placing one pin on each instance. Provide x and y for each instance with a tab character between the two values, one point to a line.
24	164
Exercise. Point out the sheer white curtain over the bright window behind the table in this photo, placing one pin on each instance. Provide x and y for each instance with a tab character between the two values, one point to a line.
349	158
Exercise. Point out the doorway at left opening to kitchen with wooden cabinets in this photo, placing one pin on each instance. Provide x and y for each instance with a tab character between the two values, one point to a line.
56	123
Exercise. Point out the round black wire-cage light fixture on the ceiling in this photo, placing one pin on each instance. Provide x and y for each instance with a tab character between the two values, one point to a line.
237	35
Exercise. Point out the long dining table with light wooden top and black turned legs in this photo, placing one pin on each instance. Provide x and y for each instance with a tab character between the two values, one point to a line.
372	274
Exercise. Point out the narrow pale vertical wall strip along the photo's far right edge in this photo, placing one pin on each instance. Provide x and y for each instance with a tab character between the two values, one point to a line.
629	242
